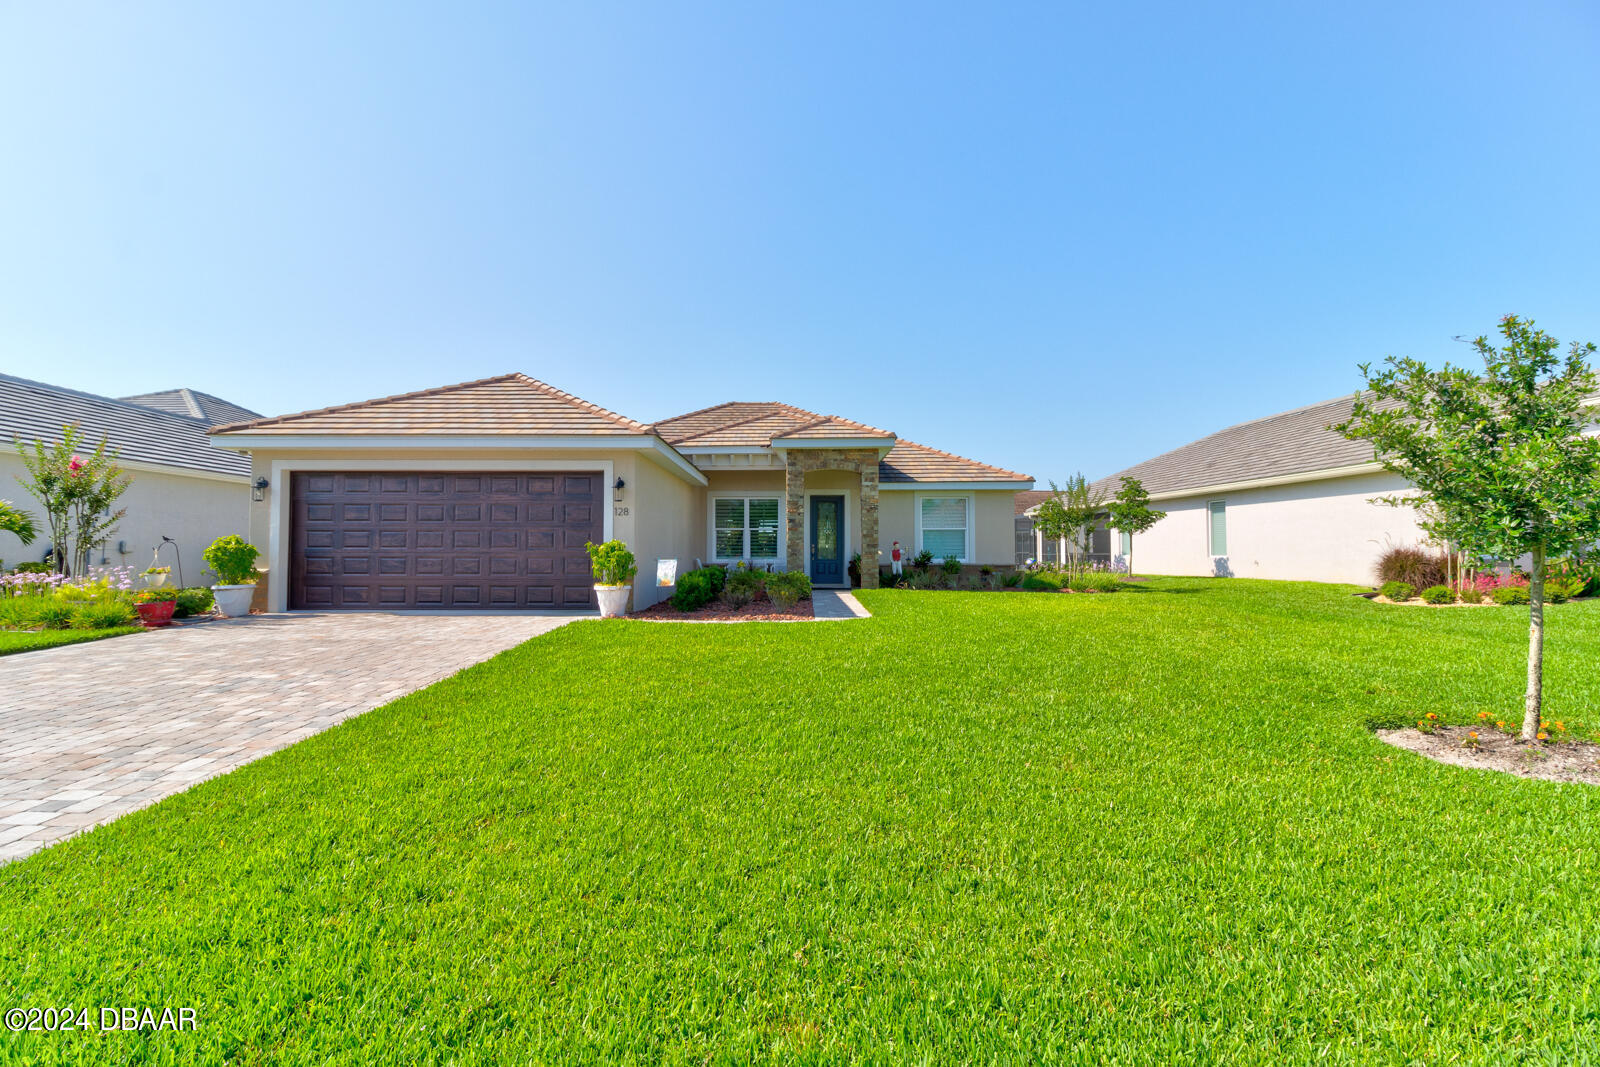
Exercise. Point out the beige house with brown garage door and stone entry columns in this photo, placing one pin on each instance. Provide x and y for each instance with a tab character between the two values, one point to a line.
482	495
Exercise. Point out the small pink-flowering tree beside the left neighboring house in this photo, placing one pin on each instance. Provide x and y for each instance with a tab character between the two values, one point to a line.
78	494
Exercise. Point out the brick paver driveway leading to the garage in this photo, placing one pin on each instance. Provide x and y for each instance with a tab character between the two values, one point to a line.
94	732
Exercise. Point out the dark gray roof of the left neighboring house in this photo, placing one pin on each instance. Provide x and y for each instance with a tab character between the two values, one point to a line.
34	410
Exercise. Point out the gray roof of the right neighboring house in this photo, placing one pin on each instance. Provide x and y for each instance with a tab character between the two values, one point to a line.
1294	442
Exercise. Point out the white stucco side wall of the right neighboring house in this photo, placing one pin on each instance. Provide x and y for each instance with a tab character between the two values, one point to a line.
1326	532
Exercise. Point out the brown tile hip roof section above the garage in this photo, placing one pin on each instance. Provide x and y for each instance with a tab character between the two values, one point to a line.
510	404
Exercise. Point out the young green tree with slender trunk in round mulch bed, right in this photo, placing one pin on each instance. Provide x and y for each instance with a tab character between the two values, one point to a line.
1500	458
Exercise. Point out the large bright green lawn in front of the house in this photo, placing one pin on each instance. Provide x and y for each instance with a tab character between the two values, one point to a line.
1150	828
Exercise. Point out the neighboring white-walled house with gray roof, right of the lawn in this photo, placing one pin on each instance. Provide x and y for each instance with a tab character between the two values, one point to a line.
1282	497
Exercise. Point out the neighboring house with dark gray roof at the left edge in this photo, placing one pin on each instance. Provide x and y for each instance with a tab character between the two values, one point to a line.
183	489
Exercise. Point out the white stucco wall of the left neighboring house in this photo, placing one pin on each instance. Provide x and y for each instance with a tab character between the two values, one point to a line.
193	508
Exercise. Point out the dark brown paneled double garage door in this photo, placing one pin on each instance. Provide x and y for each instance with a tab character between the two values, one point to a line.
422	540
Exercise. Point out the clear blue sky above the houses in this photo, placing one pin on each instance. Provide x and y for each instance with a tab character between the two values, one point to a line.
1052	238
